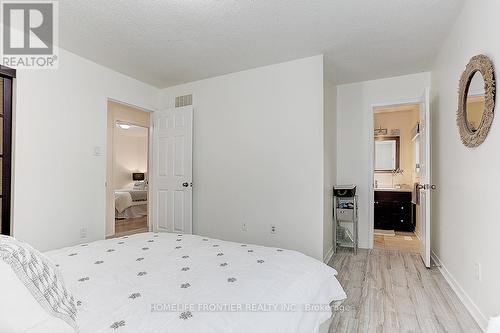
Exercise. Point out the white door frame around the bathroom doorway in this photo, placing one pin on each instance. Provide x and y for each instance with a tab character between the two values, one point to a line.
371	167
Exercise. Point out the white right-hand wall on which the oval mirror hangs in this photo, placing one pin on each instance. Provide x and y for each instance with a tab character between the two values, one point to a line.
466	224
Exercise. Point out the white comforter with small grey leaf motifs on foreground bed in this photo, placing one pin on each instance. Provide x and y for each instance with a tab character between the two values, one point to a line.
185	283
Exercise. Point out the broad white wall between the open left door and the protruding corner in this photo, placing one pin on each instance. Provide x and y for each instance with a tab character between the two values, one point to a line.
258	155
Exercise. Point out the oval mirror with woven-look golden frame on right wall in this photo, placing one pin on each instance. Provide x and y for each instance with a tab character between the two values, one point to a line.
476	101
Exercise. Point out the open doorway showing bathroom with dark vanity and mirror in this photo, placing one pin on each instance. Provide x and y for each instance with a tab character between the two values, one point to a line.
396	177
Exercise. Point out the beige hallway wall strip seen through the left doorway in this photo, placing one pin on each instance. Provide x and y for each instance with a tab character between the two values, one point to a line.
125	113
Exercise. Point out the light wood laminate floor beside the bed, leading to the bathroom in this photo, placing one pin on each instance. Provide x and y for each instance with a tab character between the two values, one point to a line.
392	291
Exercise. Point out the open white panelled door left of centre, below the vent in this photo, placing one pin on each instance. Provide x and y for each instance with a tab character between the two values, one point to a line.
172	170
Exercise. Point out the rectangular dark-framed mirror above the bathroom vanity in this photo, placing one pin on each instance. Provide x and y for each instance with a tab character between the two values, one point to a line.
386	157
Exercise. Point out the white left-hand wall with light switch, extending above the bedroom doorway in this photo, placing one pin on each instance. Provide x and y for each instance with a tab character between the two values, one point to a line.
60	116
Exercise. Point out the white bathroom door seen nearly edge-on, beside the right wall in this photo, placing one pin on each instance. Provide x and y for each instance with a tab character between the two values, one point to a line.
425	185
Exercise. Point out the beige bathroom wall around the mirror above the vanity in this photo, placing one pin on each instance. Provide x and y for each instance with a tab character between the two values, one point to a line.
404	121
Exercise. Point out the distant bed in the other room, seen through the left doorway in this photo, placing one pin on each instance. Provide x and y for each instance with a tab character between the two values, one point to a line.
131	204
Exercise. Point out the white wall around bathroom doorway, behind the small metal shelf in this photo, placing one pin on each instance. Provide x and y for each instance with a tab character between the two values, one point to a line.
355	134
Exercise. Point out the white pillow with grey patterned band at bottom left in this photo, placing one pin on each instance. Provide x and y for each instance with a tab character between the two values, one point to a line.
33	295
